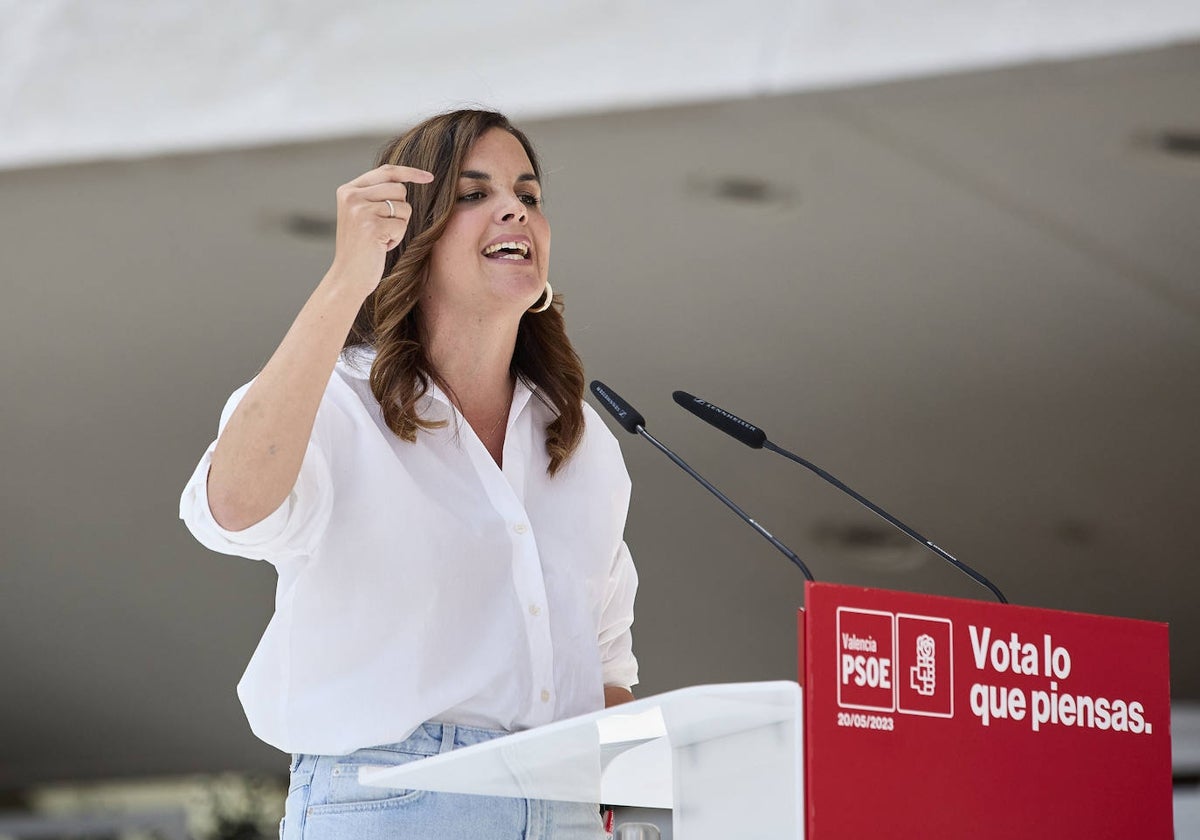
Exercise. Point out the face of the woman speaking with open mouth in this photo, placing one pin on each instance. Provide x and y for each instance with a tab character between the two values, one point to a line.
499	202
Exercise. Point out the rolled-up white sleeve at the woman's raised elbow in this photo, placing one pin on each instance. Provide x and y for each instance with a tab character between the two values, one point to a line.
292	530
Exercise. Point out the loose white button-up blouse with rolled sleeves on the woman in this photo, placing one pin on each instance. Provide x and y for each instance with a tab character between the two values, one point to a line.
423	583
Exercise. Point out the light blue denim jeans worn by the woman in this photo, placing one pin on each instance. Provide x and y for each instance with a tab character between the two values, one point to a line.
326	801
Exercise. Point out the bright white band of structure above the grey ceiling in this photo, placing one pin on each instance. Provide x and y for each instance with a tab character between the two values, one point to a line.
83	81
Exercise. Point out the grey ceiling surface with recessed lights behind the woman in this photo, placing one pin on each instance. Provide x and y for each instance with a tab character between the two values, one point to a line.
976	299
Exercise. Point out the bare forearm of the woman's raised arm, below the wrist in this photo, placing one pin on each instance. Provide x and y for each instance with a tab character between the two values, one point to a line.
261	449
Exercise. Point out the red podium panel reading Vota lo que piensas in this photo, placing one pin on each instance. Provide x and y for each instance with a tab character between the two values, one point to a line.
943	718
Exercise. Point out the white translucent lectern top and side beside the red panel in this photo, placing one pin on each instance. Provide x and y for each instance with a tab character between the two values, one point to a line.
727	759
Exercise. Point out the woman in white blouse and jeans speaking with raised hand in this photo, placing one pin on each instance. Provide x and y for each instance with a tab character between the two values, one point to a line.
445	512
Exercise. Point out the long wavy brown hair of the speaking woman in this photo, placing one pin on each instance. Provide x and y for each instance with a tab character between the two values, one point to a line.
391	319
